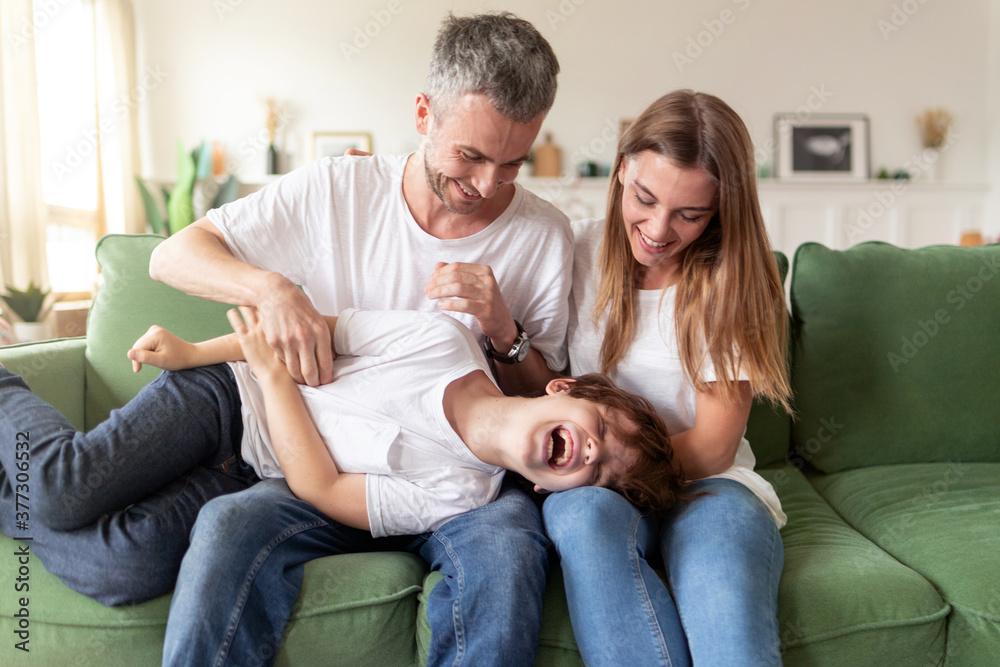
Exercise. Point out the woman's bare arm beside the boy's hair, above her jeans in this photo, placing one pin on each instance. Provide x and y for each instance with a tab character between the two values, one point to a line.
709	447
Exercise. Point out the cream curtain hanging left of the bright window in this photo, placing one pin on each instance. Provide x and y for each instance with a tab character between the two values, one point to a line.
23	211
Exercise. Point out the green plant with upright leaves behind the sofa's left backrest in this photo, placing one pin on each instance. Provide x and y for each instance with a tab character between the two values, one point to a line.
192	170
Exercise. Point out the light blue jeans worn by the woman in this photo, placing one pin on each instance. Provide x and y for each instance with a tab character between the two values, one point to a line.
723	558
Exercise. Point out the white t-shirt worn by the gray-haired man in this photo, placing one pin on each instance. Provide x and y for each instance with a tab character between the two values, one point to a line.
340	228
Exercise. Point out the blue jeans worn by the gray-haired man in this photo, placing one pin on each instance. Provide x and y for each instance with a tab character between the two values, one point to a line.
243	571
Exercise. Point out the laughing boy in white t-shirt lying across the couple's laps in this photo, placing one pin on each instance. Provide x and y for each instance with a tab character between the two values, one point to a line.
411	432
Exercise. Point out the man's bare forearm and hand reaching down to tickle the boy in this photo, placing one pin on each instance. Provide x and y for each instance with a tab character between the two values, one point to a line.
198	261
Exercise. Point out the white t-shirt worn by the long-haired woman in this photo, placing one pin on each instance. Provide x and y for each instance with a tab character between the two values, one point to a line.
652	366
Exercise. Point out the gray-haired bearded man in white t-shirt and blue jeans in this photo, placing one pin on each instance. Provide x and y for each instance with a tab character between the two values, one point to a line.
442	228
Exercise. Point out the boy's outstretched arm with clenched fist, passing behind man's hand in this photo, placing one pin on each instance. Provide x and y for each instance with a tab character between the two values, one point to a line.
158	347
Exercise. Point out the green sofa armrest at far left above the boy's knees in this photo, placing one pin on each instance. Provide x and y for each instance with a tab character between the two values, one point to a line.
54	370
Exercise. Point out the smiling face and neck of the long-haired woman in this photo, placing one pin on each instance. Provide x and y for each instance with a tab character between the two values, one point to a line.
665	208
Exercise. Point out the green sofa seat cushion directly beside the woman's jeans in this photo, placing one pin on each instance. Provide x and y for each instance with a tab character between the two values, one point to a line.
842	599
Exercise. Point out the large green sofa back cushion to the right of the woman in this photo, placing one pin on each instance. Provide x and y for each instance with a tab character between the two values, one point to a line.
896	355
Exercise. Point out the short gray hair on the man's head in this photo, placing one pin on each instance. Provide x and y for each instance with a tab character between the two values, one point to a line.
497	55
